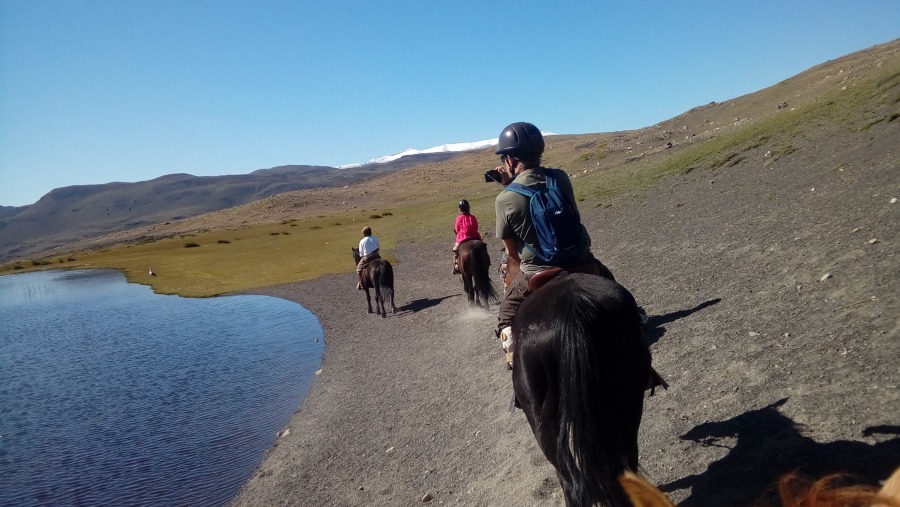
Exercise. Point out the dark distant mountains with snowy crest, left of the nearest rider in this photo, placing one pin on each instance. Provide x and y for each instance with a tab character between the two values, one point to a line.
73	213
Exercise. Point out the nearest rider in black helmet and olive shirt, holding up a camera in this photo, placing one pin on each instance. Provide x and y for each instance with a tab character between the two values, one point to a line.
520	147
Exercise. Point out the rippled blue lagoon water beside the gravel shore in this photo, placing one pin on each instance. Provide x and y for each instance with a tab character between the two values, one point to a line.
113	395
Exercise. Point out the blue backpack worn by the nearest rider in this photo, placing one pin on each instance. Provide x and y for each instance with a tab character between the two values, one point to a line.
559	232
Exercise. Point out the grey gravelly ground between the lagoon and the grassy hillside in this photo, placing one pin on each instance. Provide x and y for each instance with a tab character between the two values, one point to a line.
773	301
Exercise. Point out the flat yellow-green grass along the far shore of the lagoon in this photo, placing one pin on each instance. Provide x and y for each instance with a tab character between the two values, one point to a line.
226	261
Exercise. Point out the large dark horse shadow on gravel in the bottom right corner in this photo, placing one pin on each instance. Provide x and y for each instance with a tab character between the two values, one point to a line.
768	445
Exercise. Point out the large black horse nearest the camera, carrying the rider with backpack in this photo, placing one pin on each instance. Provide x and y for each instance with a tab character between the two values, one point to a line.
580	371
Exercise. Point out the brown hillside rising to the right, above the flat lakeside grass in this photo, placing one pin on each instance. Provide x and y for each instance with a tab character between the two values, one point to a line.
846	96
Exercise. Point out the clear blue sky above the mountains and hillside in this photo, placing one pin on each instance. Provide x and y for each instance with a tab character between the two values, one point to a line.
96	91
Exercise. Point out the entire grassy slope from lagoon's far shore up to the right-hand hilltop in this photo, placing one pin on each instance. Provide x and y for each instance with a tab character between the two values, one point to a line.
301	235
